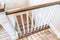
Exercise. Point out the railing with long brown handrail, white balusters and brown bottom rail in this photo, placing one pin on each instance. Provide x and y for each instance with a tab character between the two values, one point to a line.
27	20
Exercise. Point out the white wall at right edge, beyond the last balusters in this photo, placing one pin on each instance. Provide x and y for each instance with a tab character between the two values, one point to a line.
55	20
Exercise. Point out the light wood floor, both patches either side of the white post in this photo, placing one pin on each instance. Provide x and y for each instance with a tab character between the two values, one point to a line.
43	35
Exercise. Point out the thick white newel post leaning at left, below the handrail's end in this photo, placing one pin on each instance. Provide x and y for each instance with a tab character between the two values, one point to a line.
4	21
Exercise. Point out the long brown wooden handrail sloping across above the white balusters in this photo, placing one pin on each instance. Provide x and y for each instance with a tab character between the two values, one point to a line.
13	11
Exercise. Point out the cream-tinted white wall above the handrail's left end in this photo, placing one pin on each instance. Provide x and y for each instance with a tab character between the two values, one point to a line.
11	4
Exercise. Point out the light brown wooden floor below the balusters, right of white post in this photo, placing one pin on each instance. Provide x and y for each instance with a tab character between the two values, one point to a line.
43	35
